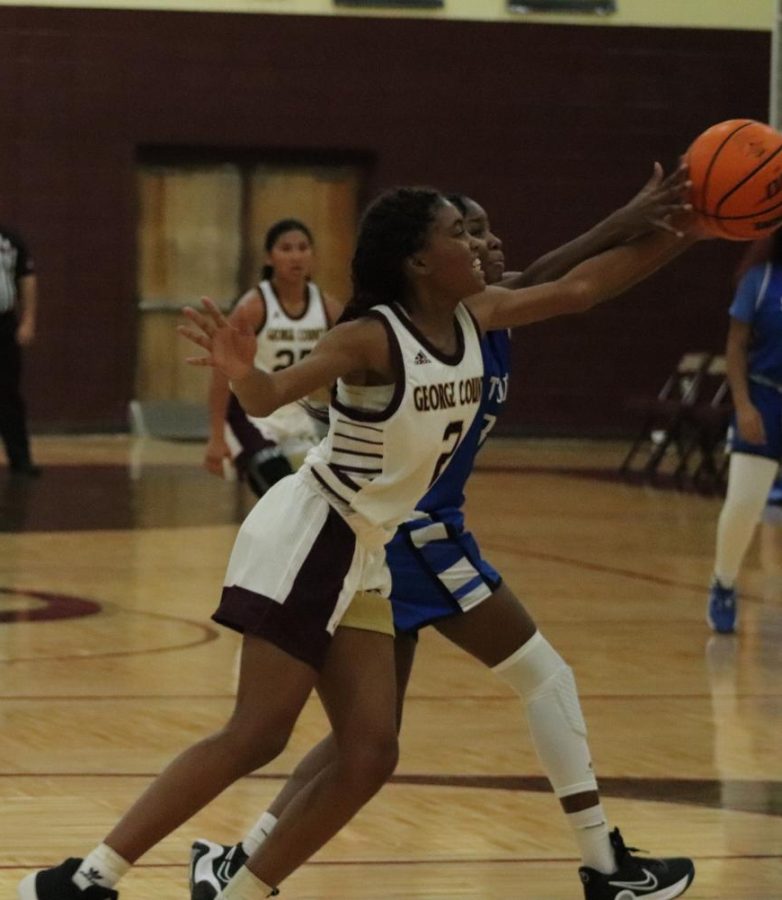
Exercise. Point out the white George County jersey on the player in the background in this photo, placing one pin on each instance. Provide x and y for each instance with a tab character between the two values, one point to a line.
282	341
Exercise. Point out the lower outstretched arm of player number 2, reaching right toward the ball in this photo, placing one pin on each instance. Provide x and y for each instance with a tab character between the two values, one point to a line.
591	282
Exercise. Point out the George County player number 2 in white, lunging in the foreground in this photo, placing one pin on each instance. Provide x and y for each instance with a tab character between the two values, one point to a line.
298	560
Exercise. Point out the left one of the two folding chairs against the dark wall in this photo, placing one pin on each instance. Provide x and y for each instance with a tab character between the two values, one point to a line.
663	415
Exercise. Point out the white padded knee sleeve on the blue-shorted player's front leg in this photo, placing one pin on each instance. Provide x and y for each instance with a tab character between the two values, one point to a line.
545	682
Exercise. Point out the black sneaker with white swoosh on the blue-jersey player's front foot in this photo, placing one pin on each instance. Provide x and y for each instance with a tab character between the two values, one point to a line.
637	878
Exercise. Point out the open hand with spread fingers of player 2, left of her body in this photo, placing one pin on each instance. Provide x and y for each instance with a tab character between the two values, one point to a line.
230	347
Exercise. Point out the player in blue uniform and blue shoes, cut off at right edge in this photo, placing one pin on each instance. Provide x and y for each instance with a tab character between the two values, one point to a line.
754	365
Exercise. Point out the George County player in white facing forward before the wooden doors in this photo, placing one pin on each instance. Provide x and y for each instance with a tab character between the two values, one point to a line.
289	315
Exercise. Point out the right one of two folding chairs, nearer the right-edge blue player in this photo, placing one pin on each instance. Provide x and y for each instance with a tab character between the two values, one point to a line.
705	426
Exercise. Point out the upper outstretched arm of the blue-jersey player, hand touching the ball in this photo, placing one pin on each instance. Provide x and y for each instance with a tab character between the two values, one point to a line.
659	201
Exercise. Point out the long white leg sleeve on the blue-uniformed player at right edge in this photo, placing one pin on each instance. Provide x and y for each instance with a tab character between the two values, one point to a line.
749	481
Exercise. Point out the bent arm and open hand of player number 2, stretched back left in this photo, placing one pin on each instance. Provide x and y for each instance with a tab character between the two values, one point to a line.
354	347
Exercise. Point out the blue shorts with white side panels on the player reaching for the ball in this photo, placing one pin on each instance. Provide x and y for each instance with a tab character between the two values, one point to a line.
436	571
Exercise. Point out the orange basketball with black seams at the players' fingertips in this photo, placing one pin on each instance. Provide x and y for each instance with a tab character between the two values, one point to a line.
736	174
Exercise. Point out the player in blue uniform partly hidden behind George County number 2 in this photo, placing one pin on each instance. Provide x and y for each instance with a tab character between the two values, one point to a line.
439	577
